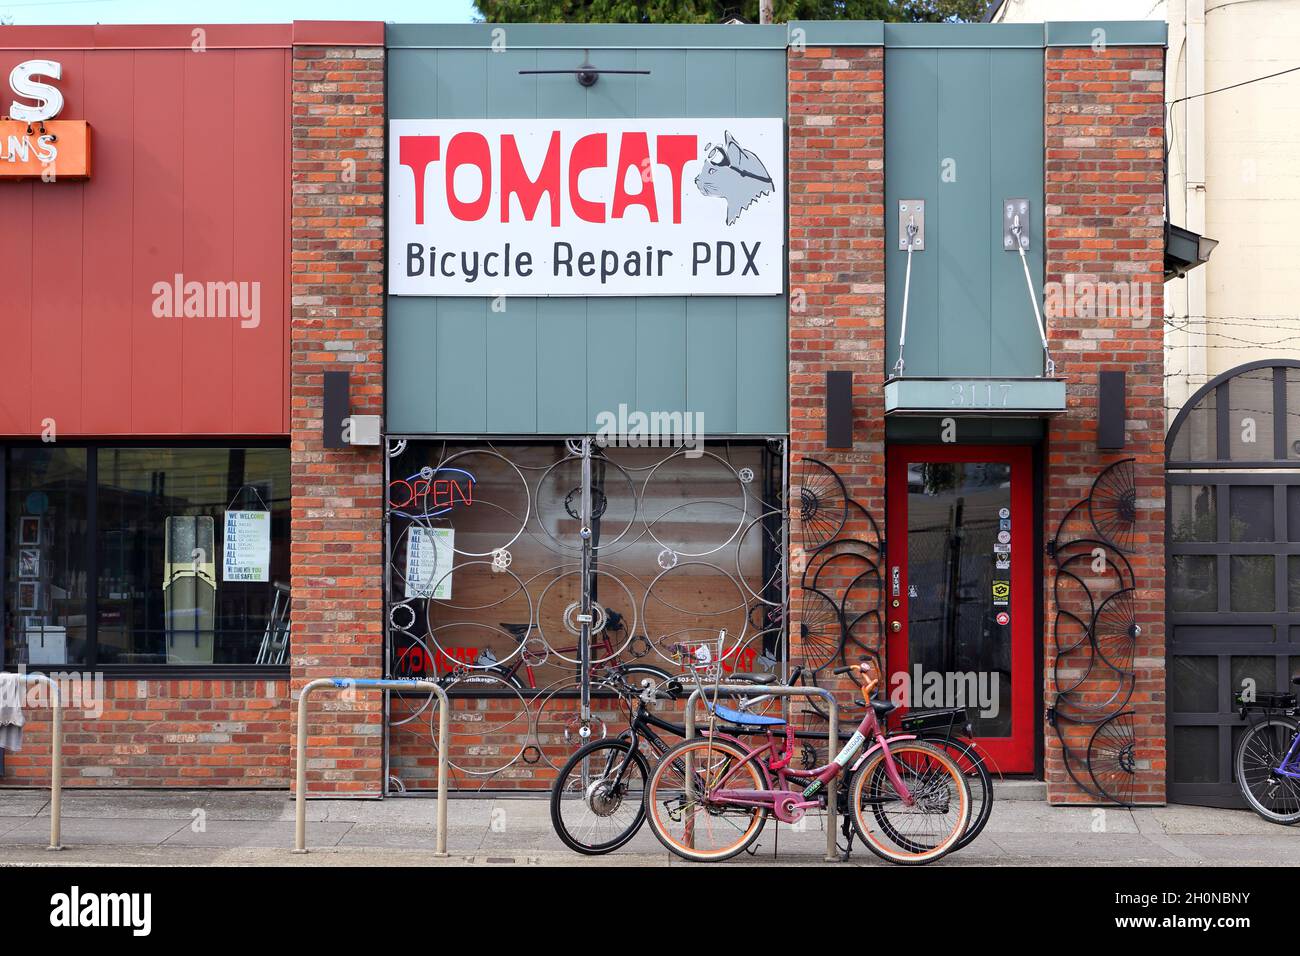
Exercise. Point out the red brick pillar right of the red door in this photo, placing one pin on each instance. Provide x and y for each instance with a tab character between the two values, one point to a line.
1104	224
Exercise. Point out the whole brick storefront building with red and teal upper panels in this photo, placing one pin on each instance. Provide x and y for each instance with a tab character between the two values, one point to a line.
622	296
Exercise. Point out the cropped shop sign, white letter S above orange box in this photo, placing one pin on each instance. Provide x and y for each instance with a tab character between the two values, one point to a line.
34	145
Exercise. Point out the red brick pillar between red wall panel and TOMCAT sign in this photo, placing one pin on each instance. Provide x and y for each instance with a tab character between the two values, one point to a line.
337	282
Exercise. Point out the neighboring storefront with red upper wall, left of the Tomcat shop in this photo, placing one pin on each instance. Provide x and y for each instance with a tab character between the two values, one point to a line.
148	306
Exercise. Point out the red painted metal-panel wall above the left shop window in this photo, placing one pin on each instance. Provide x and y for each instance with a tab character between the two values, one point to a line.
190	176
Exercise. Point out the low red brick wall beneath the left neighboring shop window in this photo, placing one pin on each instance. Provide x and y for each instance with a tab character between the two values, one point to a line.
164	734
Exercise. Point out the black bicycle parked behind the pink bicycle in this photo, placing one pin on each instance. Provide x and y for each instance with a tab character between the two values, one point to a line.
597	799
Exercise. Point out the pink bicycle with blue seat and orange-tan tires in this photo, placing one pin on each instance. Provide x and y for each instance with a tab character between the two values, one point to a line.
909	801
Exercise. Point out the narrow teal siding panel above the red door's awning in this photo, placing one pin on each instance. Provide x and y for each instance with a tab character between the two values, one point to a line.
980	111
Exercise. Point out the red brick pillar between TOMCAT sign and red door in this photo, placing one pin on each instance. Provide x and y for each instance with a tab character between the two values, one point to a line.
838	271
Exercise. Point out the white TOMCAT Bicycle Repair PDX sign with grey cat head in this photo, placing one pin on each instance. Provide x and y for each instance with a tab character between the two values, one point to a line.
587	207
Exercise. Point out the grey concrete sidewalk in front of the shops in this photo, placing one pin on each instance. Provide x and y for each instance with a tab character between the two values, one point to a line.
257	829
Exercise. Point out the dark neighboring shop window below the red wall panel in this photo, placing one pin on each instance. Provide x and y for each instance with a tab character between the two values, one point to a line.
188	551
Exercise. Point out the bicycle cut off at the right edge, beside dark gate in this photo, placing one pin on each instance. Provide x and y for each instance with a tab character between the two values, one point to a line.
1268	756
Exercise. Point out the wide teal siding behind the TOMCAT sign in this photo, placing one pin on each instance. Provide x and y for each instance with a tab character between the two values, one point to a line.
552	366
